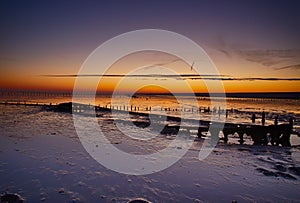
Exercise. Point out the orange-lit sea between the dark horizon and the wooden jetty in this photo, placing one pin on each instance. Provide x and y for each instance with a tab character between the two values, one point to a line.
239	108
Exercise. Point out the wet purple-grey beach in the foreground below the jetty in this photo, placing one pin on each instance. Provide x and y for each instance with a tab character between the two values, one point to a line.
42	159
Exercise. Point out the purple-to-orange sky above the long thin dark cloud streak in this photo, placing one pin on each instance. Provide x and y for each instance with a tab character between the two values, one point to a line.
242	37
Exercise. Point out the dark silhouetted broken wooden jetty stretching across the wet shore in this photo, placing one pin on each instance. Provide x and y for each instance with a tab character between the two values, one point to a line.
261	135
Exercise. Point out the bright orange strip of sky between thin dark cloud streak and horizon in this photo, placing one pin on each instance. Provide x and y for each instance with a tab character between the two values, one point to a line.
108	85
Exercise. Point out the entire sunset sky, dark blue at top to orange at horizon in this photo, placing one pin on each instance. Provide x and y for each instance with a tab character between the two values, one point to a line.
255	45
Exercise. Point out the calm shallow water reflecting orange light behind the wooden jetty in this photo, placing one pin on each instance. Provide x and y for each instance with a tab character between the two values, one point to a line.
239	110
